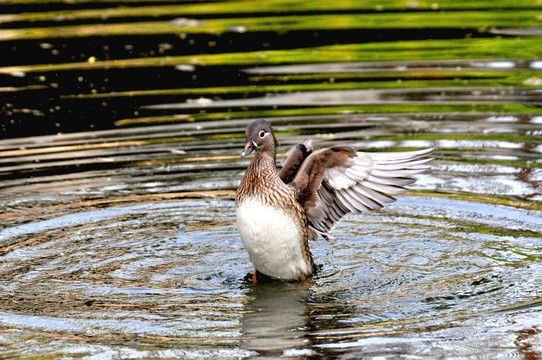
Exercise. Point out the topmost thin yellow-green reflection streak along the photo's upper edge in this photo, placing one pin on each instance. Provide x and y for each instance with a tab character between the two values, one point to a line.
250	7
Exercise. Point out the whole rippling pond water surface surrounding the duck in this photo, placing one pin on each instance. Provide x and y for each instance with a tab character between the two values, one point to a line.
122	125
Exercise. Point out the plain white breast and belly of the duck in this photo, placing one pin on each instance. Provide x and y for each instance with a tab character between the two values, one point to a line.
273	240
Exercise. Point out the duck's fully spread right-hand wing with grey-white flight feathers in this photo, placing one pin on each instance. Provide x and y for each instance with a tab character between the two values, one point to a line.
343	181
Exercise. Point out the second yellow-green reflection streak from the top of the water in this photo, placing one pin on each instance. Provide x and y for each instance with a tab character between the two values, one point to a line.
401	20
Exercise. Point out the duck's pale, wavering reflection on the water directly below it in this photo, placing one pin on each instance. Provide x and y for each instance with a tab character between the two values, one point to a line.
276	318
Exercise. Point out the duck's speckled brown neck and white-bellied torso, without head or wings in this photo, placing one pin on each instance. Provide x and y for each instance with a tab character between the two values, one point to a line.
272	224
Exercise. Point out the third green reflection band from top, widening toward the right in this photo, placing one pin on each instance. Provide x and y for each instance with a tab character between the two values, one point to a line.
491	48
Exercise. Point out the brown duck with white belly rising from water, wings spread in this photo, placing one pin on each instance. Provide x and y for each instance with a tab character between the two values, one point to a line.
279	210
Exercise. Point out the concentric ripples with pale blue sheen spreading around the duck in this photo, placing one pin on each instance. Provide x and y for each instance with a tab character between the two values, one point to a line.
165	279
